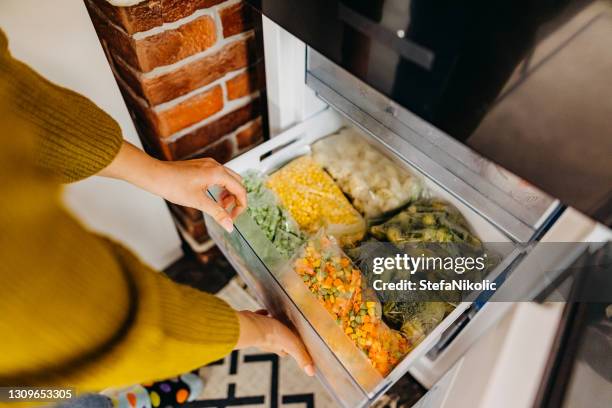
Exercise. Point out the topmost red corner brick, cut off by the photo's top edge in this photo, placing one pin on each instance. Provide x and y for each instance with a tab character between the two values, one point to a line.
152	13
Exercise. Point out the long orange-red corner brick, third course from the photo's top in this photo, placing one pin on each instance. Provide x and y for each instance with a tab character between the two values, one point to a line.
165	87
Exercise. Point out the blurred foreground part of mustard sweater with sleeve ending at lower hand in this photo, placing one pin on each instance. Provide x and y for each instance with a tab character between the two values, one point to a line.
80	310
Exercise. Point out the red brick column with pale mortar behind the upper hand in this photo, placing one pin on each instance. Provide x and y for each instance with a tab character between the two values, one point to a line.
192	77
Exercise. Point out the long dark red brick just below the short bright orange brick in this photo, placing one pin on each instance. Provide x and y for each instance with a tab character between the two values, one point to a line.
201	137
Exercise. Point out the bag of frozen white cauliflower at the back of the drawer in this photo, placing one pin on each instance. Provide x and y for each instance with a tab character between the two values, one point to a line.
374	182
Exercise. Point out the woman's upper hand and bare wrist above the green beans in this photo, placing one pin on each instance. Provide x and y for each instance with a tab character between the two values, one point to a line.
182	182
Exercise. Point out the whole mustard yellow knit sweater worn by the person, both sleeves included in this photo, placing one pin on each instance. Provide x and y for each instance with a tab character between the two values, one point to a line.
77	309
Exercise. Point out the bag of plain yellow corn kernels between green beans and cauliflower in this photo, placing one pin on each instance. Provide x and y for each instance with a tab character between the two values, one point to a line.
315	201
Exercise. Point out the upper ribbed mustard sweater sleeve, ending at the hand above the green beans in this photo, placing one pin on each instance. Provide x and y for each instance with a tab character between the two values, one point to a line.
76	138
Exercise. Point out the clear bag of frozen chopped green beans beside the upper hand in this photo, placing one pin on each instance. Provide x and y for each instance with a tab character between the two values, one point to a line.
273	220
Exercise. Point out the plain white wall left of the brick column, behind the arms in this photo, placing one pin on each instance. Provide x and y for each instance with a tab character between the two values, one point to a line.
57	38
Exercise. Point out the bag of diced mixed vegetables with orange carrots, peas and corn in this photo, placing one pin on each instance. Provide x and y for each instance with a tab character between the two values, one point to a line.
333	279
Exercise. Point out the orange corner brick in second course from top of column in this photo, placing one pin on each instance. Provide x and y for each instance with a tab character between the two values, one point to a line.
160	49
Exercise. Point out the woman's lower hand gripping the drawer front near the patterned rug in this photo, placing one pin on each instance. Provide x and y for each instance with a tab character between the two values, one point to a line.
260	330
